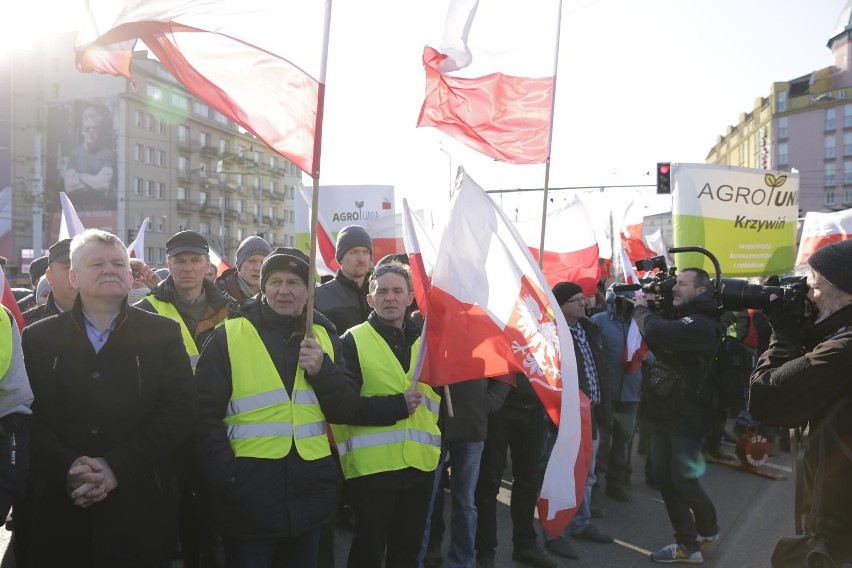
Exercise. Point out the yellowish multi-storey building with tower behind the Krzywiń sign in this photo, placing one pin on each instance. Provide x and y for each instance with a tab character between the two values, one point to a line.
804	123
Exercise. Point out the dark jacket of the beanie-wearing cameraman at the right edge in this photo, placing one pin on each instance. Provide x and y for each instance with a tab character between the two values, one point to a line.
805	381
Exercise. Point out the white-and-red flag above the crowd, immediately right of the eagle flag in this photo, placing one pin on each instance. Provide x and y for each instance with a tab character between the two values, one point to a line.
570	246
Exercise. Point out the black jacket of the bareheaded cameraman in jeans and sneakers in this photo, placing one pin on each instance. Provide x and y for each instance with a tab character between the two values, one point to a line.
687	344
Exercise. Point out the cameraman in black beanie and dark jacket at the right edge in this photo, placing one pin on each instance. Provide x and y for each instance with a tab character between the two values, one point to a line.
802	381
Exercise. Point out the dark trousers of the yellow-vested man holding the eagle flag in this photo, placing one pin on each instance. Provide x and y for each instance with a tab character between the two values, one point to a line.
389	522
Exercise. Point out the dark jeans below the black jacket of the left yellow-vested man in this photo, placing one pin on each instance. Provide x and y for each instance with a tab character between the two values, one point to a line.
296	552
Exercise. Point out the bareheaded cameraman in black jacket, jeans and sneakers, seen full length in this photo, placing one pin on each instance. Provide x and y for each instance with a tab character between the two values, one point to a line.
678	407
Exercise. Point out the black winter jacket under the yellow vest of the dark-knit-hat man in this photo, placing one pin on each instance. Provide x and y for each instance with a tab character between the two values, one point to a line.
269	498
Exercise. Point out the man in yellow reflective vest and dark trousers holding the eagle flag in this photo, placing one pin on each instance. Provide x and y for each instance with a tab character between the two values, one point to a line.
390	449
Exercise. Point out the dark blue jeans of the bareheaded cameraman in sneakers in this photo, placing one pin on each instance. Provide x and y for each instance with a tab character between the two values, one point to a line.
677	465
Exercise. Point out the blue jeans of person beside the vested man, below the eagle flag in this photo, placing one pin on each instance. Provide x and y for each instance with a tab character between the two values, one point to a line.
464	459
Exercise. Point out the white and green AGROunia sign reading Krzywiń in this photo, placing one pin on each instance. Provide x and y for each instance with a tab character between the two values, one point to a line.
745	217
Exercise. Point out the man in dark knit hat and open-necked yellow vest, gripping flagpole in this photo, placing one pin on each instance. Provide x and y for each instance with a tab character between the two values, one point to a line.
266	392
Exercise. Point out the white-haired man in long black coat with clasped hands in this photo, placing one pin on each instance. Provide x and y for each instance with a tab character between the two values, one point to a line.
114	400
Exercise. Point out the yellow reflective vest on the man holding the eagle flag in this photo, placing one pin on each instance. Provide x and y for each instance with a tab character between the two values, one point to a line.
412	442
